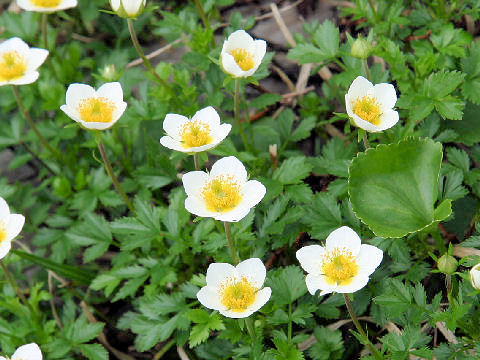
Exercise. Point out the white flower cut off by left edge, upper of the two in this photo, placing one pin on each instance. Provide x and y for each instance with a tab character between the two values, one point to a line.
19	62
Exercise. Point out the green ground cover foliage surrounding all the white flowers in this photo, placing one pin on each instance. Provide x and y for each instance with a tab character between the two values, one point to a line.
100	276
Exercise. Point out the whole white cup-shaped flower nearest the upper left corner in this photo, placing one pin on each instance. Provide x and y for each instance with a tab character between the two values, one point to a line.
95	110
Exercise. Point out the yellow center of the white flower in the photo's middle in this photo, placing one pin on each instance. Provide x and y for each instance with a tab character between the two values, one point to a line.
221	194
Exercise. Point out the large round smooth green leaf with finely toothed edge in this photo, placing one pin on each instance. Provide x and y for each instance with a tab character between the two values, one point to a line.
393	188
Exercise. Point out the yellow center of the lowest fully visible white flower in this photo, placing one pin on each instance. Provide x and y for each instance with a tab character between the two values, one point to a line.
237	295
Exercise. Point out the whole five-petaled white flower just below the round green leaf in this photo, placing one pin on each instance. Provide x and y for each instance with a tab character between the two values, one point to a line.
343	265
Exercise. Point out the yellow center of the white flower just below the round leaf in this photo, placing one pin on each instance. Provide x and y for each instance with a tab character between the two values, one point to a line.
339	266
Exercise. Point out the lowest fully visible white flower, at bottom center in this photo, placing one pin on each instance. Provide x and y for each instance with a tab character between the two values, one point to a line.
235	291
